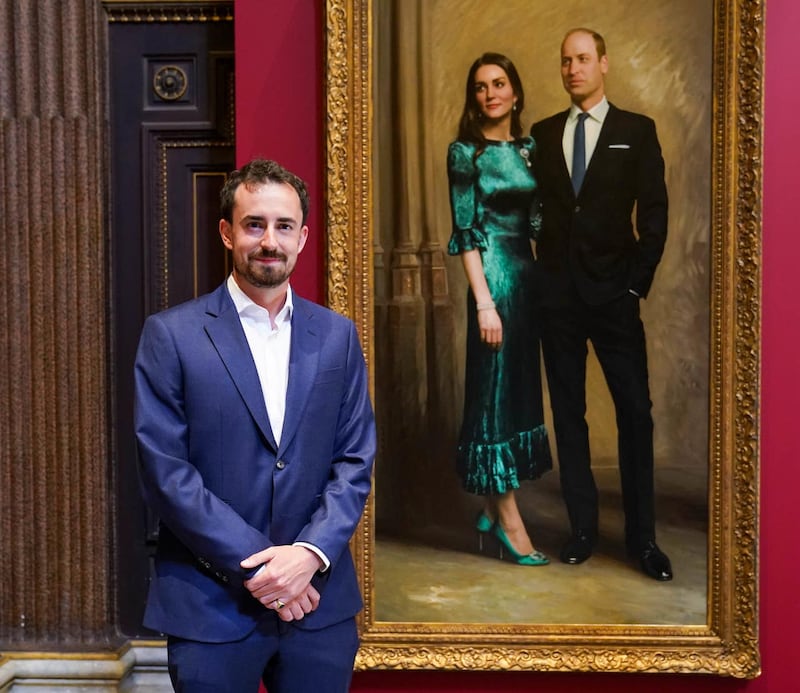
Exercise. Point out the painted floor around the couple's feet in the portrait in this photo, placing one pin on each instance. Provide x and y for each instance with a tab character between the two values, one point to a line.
442	577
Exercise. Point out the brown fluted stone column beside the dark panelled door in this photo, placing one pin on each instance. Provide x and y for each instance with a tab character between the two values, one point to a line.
56	515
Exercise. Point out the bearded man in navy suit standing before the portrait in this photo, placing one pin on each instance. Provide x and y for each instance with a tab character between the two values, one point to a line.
256	440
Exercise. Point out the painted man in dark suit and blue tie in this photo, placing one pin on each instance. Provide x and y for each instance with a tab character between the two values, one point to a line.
595	165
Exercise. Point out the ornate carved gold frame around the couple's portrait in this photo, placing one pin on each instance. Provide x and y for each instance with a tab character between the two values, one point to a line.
726	643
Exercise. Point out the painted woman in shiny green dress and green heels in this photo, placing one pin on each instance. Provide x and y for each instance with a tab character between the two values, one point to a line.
495	215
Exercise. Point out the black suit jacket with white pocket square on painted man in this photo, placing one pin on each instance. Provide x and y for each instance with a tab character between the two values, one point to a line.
590	238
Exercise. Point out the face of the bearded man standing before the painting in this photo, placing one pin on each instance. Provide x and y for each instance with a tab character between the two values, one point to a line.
266	234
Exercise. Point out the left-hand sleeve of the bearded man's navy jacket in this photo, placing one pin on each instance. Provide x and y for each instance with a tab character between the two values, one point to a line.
172	486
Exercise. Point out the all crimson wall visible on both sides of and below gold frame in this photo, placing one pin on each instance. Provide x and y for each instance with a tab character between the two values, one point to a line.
280	113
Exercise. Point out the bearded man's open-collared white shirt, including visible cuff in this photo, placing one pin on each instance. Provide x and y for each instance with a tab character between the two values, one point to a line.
270	345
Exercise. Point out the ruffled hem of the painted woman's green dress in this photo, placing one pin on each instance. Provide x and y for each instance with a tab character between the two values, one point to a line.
496	468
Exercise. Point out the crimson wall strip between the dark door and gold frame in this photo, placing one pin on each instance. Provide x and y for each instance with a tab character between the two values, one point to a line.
280	105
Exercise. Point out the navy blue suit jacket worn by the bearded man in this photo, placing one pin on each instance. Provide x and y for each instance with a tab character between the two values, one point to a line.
222	488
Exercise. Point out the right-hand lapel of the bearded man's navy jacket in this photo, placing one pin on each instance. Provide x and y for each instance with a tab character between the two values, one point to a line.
303	365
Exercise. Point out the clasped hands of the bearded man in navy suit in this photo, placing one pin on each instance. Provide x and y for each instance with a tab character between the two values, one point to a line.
284	581
